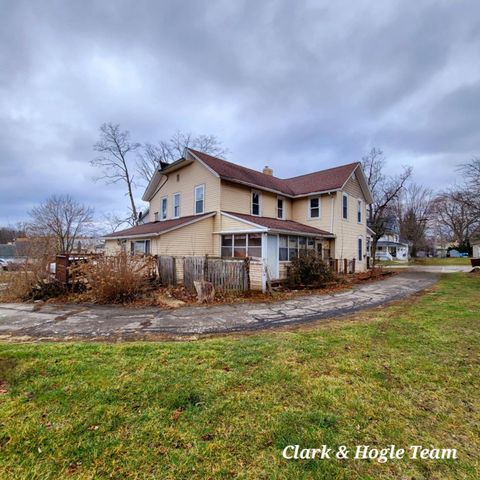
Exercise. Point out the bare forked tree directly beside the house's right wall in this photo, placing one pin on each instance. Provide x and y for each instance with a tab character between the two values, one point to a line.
385	190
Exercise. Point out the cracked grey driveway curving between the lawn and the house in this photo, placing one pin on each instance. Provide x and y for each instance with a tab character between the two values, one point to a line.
68	322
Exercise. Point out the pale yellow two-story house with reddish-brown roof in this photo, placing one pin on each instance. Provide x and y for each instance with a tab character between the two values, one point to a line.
203	205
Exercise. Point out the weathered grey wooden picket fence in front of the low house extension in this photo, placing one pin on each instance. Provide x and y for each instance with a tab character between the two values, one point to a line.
226	275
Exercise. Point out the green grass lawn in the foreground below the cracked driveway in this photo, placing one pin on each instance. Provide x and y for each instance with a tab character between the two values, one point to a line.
226	407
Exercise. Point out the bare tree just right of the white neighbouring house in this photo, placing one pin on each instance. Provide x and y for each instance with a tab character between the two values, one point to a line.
414	211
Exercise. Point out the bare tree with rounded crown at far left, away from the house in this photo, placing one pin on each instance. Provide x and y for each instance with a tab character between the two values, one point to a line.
62	218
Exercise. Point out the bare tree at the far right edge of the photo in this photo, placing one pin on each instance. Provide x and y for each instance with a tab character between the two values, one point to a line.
455	217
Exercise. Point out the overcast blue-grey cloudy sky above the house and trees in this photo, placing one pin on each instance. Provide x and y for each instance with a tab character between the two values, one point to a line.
297	85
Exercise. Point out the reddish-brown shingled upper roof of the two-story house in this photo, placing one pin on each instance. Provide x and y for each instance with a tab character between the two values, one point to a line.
324	180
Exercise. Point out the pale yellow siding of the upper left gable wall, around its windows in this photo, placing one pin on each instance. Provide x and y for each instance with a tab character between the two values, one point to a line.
189	177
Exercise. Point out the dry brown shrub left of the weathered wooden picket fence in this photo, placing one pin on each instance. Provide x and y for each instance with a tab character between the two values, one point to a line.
117	279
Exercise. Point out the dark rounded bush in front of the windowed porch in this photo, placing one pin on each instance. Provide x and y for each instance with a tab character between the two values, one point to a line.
309	269
